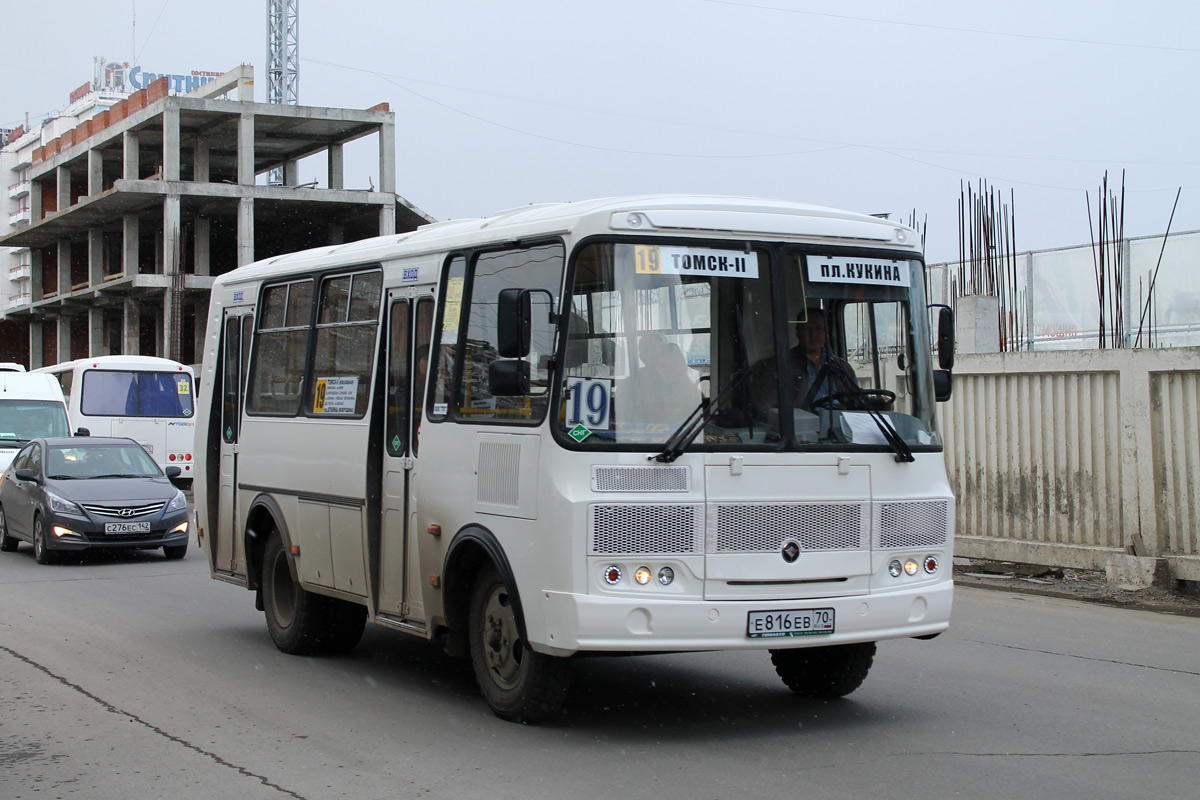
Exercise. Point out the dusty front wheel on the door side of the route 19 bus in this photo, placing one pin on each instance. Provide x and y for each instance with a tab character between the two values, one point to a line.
519	684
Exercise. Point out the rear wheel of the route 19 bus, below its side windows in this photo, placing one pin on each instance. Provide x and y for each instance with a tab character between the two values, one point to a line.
301	622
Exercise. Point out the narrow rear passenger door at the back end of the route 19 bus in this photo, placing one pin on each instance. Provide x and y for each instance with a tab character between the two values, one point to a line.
235	364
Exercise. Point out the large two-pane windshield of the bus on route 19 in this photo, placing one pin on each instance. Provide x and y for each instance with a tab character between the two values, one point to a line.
662	333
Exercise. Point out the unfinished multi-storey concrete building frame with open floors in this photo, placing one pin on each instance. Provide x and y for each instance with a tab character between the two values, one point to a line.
134	212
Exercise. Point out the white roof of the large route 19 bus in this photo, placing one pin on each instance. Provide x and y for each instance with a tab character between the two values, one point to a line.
652	214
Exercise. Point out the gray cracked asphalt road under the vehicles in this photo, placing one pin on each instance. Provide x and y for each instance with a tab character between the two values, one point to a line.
142	678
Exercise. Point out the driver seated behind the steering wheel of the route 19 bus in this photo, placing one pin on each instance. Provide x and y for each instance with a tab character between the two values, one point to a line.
818	372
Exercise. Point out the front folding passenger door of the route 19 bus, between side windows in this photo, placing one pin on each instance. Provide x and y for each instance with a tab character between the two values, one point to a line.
410	330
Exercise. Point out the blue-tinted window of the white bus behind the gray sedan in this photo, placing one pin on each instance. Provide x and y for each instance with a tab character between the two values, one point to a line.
116	393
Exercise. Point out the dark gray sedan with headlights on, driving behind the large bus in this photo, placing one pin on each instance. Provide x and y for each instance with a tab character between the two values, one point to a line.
83	494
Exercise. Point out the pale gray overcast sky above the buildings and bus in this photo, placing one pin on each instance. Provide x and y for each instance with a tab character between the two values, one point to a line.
868	106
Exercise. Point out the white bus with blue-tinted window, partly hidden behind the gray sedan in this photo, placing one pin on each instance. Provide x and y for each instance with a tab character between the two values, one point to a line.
142	398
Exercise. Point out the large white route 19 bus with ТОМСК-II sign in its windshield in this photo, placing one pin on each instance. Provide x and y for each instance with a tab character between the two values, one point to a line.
579	429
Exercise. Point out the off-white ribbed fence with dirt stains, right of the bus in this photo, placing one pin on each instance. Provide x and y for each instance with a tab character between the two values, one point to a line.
1067	458
